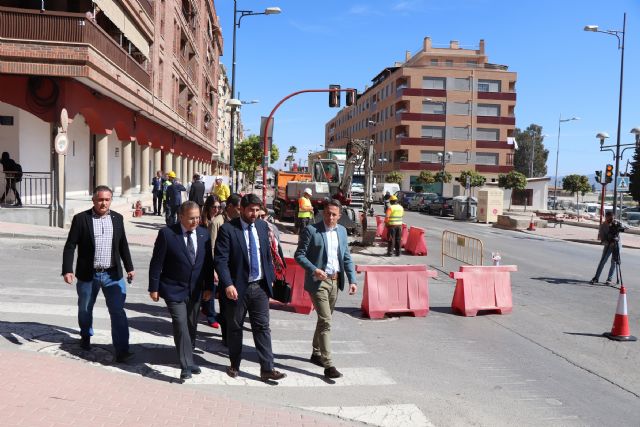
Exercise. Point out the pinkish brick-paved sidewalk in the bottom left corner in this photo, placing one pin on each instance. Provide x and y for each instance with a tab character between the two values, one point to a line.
40	390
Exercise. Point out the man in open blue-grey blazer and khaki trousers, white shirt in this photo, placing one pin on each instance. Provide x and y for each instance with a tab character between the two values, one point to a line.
323	252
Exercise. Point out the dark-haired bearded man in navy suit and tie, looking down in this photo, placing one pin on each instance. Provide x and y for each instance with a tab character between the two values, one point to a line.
244	265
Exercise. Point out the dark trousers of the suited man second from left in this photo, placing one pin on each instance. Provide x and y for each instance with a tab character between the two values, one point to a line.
184	319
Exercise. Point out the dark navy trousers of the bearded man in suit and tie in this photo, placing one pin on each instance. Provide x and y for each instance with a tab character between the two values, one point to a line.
255	301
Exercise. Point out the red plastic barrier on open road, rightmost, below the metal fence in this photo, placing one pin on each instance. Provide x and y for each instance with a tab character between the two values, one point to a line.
482	288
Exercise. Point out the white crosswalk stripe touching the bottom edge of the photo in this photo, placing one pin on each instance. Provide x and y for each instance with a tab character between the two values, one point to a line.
407	415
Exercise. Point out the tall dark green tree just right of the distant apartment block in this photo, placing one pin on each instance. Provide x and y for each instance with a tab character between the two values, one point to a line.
530	143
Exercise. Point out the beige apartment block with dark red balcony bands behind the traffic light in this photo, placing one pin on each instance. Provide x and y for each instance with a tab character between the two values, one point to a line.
444	108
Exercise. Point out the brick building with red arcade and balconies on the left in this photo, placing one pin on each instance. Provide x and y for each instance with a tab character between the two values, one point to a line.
138	79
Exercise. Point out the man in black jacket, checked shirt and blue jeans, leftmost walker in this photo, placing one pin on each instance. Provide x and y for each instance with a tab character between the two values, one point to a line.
99	235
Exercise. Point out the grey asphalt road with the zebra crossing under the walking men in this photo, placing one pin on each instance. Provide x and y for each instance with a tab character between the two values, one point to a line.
544	364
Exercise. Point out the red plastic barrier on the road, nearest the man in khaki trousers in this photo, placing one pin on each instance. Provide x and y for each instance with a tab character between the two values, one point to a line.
395	289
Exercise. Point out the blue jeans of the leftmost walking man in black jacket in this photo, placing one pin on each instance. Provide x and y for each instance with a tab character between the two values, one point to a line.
115	294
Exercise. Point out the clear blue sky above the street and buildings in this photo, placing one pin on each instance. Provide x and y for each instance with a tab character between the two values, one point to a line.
561	69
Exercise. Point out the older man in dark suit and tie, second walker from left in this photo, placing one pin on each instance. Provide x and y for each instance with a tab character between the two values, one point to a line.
181	269
